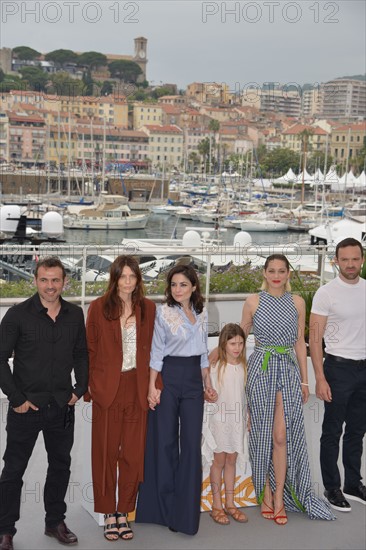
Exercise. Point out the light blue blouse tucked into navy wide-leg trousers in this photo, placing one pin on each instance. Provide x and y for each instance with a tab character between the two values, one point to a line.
175	335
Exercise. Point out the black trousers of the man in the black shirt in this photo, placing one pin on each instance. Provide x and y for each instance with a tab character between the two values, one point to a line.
57	425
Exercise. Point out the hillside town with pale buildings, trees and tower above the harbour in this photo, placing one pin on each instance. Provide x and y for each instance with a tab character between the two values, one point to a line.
94	116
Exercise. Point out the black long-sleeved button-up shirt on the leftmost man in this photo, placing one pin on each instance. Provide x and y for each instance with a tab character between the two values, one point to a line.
45	353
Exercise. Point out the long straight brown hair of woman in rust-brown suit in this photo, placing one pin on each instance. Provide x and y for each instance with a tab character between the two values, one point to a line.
113	306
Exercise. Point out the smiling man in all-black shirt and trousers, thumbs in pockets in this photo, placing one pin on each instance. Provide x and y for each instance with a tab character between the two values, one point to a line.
46	334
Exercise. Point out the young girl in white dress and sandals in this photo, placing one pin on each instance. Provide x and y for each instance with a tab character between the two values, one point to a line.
225	429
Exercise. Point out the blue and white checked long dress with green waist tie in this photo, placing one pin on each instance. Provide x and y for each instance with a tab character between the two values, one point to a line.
275	323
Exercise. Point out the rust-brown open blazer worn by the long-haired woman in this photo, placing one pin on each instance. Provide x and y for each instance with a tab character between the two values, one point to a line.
105	353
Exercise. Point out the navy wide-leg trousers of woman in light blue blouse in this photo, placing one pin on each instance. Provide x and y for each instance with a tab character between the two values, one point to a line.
171	492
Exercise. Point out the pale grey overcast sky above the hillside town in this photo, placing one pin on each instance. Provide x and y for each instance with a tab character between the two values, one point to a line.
191	40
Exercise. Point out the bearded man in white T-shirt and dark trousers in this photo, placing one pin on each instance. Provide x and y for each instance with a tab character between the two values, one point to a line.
338	315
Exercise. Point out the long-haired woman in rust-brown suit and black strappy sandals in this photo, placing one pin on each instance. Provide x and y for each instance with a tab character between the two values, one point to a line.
119	331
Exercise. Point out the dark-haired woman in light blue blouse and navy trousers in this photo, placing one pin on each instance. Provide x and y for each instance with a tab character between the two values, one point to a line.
171	492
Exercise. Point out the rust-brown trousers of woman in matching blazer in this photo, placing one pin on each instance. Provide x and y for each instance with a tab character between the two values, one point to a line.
118	441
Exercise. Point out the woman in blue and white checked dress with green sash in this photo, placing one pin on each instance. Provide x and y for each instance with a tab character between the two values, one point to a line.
277	387
